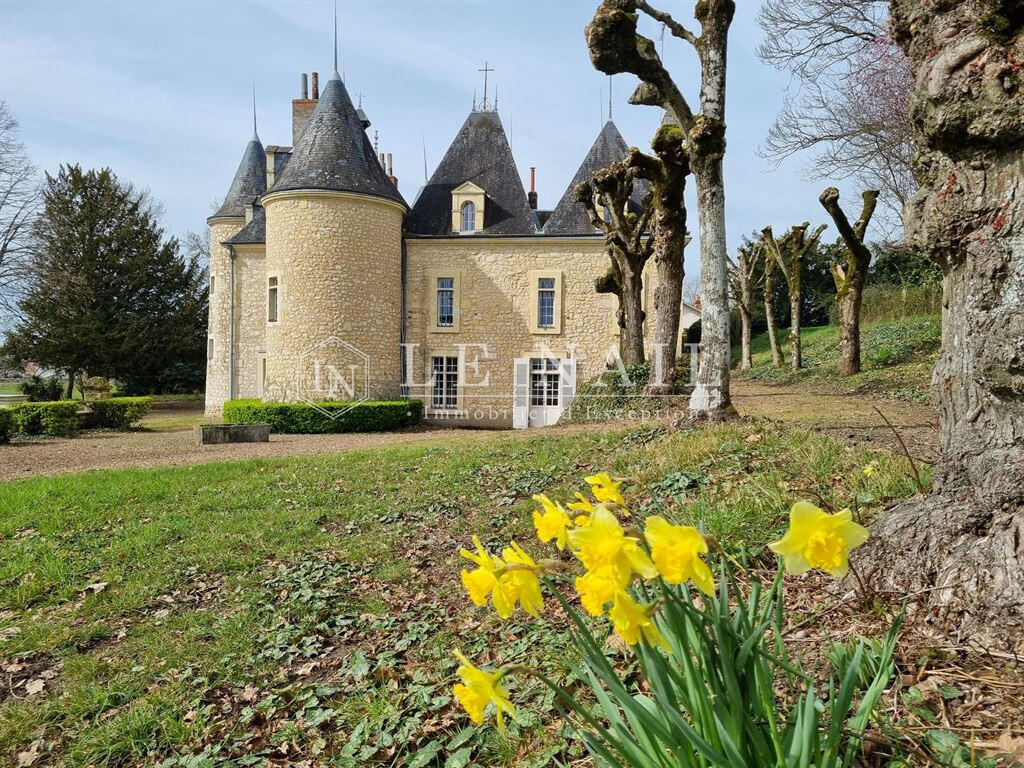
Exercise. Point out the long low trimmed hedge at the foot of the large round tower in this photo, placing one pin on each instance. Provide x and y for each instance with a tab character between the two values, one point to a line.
303	418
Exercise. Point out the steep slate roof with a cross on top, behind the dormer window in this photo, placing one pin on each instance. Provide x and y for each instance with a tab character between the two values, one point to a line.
481	154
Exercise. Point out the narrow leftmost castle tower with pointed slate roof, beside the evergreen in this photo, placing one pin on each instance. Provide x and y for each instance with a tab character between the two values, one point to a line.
249	184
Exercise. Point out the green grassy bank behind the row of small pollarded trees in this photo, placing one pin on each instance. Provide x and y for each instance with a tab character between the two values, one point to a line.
898	358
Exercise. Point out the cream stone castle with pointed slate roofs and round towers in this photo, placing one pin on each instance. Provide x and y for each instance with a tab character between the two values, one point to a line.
325	284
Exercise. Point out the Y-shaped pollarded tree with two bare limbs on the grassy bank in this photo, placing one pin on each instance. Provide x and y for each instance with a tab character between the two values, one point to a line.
850	278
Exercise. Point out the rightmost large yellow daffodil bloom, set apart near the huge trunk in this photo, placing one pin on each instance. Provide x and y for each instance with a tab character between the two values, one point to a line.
818	540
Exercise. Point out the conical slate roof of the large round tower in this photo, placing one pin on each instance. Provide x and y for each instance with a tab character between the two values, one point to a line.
334	153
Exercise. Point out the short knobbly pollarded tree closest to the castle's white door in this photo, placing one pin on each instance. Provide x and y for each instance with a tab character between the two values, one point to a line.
629	250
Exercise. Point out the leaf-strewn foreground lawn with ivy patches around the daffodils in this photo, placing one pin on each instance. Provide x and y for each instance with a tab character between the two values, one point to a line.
307	609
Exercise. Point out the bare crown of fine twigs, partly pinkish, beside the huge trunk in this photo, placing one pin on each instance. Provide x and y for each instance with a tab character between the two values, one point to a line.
849	104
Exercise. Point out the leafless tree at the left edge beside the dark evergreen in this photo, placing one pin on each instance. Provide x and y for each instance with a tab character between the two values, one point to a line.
20	198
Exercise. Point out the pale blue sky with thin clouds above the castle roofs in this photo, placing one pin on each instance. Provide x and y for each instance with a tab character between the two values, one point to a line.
160	92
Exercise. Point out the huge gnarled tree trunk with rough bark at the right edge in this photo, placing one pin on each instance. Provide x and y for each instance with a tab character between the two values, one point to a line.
963	550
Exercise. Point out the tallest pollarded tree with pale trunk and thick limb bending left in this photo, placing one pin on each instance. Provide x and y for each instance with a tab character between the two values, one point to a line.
617	48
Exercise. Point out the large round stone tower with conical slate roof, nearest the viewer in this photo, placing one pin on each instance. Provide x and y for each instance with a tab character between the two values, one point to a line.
334	229
